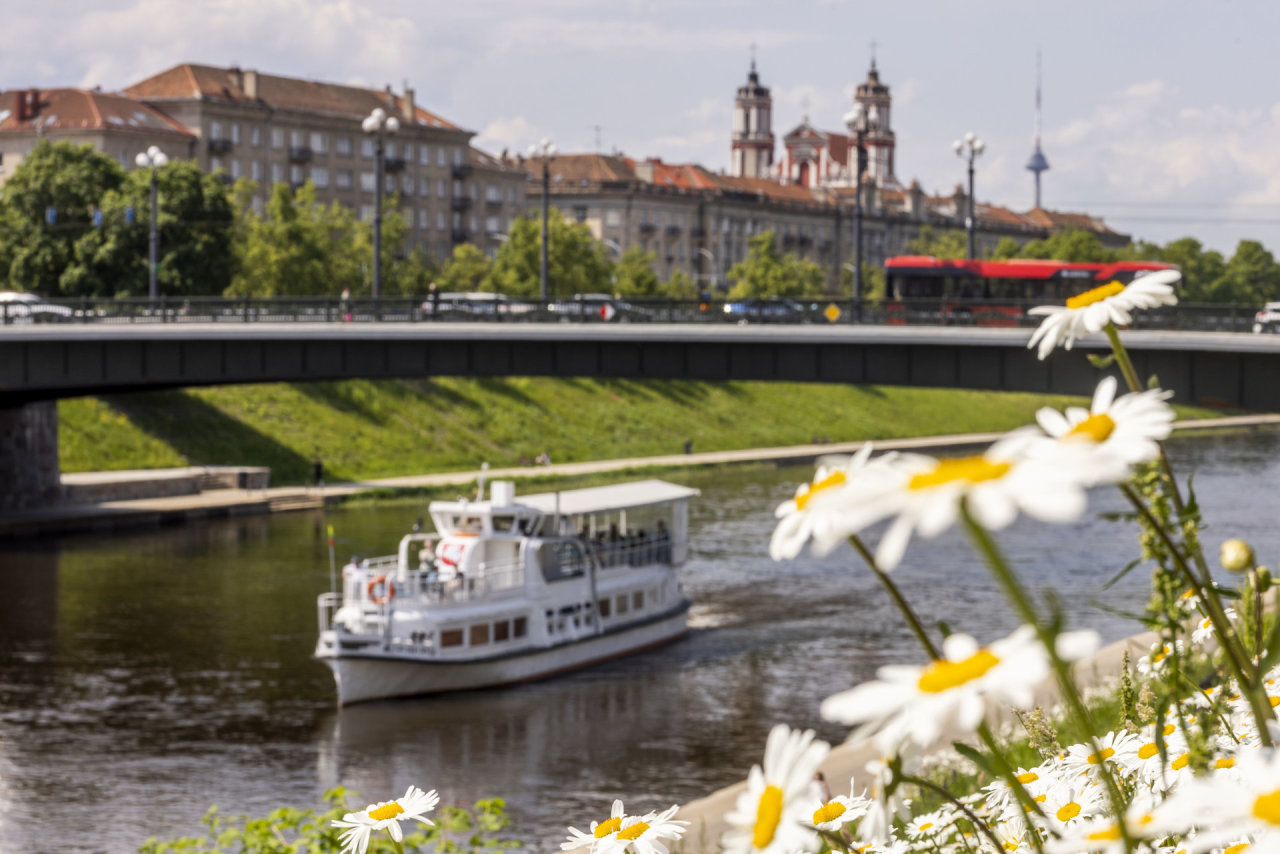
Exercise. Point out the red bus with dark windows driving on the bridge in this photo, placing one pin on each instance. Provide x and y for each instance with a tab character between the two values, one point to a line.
994	293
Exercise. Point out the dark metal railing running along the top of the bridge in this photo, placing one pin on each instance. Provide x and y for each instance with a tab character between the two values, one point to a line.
587	309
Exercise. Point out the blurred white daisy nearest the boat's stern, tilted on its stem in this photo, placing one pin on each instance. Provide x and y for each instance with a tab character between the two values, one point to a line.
825	512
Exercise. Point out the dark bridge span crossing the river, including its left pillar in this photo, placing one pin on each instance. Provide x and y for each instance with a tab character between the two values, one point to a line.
40	364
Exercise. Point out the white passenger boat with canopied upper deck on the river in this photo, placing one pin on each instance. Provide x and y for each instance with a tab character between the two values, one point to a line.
511	591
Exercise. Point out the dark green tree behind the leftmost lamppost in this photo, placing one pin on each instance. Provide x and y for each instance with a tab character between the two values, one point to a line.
196	222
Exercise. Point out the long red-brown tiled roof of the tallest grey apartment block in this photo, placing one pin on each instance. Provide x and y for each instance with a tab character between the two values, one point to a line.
208	83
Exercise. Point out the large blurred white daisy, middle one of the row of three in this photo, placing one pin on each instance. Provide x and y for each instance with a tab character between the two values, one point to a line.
925	494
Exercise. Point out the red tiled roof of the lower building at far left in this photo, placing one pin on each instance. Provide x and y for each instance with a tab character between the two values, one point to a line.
76	109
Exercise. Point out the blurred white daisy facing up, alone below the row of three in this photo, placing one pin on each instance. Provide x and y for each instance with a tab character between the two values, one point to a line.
918	704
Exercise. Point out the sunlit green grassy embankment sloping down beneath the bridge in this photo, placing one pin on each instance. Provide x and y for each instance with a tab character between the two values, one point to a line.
373	430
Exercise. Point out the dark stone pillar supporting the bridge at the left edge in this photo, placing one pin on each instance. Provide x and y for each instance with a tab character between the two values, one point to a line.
29	456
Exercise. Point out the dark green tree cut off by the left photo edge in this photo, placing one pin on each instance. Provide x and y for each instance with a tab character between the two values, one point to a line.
72	181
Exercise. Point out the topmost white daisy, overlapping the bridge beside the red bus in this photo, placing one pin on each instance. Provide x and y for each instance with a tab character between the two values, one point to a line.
1094	310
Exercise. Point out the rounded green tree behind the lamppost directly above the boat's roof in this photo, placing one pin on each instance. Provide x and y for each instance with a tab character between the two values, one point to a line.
577	263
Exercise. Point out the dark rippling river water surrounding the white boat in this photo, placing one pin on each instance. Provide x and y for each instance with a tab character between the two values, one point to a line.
148	677
